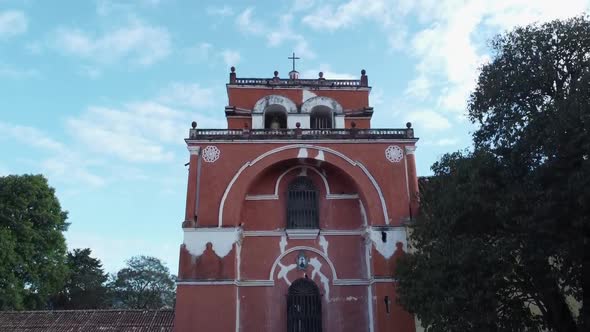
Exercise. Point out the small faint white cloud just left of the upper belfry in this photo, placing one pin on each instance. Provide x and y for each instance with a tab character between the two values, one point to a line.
187	95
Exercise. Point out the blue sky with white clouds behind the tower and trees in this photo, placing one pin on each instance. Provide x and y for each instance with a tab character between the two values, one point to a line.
98	95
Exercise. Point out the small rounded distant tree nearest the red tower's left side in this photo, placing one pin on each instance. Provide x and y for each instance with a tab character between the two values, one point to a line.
146	283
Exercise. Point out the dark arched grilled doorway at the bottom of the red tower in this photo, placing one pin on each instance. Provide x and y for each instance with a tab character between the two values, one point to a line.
304	307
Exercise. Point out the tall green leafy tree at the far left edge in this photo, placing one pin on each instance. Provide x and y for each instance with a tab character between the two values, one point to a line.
32	245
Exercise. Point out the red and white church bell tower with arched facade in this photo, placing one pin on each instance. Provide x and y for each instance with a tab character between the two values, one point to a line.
296	212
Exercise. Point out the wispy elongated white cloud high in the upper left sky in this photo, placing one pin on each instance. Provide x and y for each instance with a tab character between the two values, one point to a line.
139	43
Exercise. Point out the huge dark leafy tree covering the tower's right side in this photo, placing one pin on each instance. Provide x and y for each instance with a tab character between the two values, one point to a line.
502	241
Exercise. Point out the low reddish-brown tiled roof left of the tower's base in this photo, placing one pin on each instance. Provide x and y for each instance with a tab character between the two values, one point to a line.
87	321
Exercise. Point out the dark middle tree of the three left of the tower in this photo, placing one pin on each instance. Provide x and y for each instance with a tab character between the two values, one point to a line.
85	286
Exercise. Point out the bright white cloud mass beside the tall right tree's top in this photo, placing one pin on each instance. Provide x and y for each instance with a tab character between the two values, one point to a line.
451	48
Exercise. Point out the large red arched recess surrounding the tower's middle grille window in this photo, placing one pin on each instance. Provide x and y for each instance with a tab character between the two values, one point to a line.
334	202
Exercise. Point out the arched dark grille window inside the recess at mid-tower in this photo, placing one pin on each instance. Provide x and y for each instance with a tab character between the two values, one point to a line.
302	204
